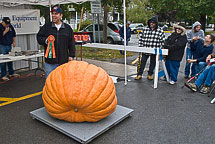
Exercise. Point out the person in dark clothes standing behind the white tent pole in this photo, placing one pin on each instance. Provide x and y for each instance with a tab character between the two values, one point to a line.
128	34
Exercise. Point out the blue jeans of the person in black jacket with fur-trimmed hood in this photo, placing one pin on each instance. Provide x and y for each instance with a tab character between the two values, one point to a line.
172	68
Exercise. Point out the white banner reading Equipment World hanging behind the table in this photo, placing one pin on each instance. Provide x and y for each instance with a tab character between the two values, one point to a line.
25	21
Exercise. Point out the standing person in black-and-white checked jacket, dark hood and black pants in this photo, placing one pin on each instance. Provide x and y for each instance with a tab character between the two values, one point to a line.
151	37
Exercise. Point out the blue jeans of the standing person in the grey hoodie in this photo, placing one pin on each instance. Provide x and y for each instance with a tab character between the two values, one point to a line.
190	55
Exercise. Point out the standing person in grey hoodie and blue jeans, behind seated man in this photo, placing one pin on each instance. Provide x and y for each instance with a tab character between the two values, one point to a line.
192	36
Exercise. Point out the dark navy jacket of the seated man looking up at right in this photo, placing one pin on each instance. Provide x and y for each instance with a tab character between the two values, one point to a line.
202	51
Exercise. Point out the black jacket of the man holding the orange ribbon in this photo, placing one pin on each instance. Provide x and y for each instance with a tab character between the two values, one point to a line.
64	42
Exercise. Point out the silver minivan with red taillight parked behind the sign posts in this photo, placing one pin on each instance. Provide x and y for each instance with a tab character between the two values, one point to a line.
112	32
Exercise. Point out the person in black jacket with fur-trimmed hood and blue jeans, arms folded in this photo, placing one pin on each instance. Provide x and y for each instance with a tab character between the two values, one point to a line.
175	44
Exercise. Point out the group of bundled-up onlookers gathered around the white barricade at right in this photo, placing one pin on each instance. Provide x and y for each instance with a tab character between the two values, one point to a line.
198	53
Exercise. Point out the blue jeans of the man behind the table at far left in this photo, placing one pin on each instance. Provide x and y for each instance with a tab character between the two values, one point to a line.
6	50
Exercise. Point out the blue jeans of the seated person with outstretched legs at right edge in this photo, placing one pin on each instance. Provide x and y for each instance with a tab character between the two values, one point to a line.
206	77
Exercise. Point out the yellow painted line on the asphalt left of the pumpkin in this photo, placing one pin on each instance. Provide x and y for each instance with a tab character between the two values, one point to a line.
12	100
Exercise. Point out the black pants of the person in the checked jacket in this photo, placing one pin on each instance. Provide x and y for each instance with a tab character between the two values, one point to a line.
143	63
